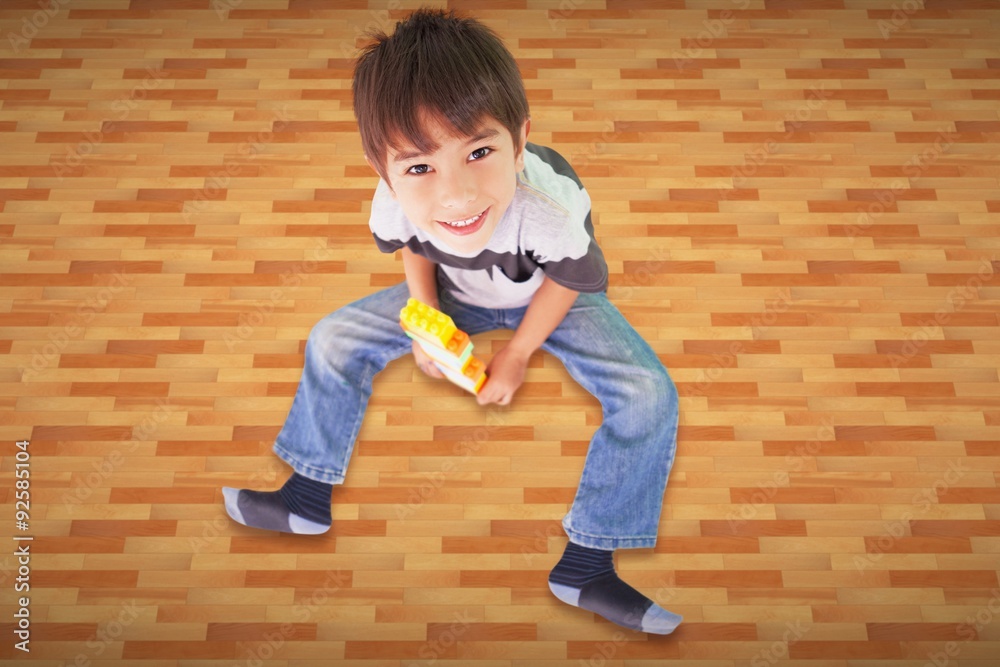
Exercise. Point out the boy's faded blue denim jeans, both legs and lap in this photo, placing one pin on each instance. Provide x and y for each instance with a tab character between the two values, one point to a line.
620	495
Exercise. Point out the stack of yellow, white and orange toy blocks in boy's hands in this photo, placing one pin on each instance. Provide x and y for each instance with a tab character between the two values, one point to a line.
446	344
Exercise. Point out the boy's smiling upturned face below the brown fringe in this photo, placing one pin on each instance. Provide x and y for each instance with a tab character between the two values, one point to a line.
458	193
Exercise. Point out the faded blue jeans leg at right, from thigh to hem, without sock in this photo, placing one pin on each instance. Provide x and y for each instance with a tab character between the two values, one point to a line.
620	496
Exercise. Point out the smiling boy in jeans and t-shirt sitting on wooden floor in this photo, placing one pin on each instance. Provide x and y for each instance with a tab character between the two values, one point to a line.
496	232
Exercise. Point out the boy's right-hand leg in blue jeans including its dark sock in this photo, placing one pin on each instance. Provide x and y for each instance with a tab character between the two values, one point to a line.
619	500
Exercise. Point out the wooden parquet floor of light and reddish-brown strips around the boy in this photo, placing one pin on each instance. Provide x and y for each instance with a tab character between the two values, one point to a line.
800	207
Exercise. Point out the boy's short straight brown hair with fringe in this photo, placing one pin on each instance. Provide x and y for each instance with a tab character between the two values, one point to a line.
456	69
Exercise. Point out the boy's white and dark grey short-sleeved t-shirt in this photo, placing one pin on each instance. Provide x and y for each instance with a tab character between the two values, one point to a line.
546	231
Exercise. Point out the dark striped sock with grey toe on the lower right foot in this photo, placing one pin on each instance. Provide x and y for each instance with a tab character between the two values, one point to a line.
586	578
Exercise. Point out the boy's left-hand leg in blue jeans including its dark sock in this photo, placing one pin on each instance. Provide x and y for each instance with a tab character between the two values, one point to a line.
343	353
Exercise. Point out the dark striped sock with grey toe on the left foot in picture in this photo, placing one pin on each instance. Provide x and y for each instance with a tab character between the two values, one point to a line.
301	506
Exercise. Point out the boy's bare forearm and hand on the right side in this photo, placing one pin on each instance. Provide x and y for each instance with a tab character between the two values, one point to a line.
506	371
